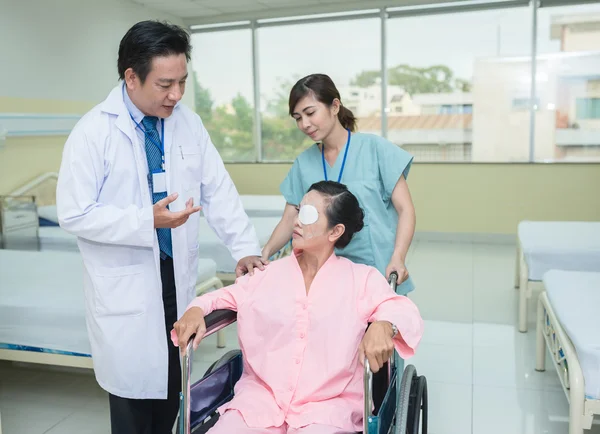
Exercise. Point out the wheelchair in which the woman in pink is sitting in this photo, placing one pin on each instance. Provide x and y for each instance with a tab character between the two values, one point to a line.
395	402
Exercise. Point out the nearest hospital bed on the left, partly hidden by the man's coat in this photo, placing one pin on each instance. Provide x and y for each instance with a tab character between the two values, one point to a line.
42	310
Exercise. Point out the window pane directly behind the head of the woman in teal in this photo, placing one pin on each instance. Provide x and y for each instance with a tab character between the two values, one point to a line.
290	52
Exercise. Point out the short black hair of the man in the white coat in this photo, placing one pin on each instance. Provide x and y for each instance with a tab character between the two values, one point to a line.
147	40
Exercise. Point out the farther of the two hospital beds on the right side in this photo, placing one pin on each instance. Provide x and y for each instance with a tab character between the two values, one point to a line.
571	246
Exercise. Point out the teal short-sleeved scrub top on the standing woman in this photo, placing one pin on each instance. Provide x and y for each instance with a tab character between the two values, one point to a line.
373	167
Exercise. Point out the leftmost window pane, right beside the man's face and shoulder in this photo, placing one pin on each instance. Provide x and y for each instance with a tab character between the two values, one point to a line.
223	91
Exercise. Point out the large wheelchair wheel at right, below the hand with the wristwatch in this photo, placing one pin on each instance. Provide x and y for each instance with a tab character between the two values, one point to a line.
411	413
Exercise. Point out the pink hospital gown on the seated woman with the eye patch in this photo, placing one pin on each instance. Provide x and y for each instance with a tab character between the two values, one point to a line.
300	350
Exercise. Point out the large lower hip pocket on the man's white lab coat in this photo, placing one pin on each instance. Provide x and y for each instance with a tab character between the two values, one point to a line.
121	291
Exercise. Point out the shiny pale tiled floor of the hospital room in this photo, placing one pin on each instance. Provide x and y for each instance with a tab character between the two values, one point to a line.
480	369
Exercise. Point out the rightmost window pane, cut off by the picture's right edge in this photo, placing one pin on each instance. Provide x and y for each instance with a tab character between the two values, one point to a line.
568	63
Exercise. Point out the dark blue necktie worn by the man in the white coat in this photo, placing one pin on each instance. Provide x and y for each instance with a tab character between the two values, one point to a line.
154	156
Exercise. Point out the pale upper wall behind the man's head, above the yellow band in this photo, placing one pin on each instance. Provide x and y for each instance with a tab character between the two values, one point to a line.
66	49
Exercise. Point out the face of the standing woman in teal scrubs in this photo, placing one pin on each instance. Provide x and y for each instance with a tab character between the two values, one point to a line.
314	118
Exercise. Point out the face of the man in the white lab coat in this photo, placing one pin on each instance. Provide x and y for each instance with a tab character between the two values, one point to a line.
163	88
